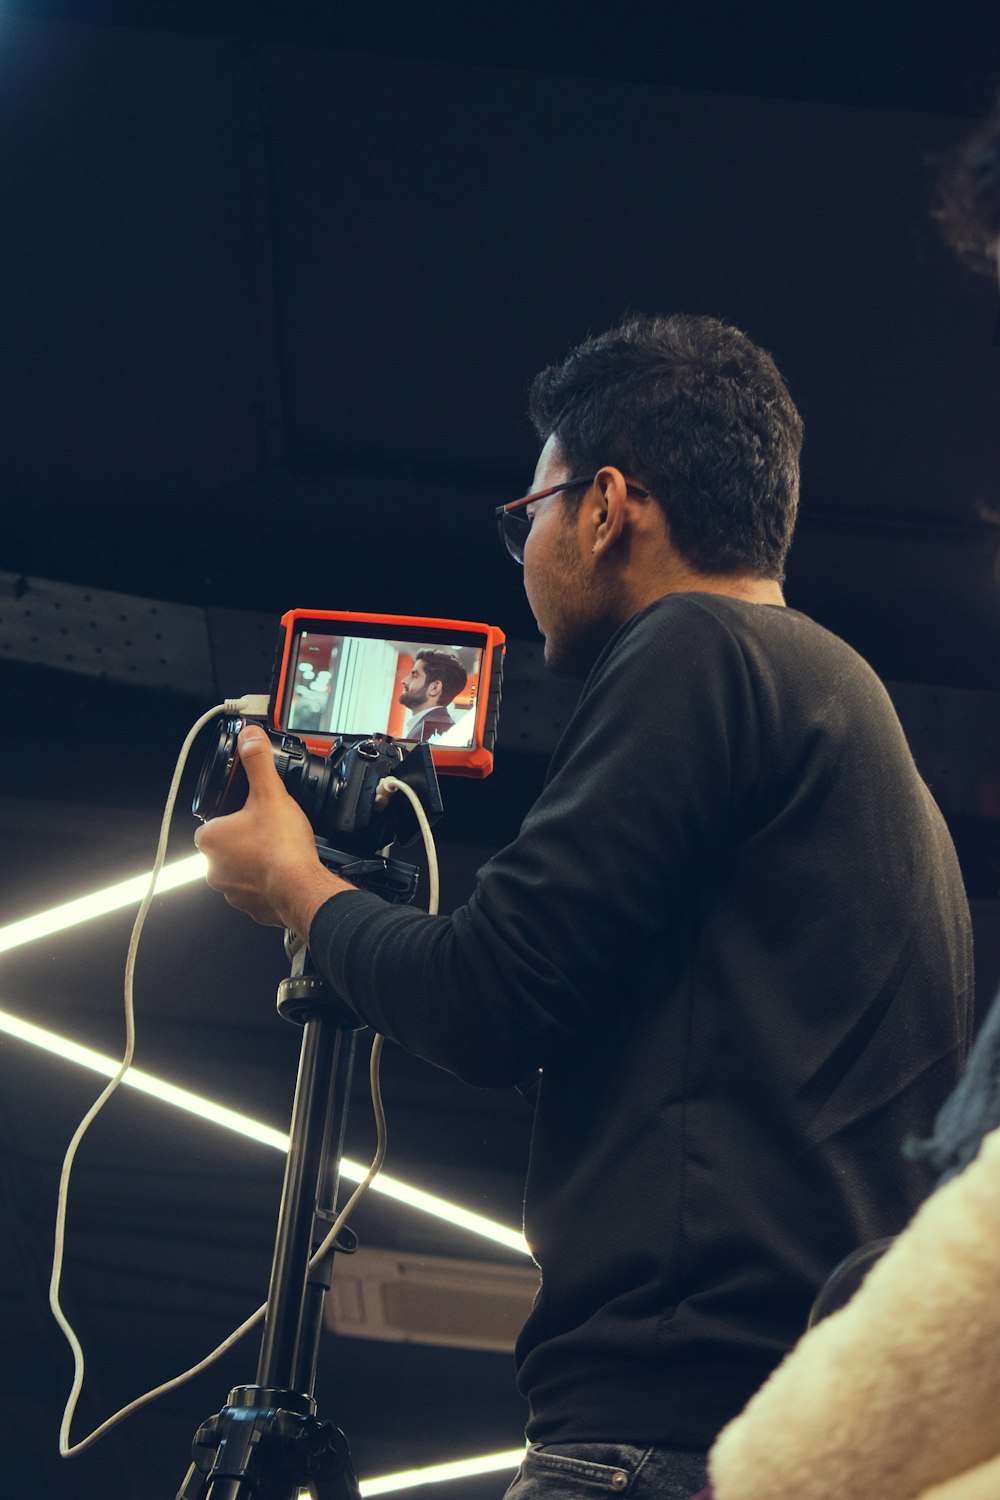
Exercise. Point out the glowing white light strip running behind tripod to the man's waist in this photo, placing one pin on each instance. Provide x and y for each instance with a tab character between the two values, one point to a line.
256	1130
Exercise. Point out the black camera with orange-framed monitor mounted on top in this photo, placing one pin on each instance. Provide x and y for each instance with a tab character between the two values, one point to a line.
355	700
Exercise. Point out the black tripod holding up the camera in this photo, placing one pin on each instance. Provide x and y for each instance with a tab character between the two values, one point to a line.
268	1442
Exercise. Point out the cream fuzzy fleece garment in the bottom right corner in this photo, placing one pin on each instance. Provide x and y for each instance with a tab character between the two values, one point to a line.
897	1396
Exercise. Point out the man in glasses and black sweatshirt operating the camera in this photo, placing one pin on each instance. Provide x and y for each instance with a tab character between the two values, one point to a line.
732	931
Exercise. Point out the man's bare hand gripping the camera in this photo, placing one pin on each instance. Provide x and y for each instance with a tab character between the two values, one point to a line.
265	857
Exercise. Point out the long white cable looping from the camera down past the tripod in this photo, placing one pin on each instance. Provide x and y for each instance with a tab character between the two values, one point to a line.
254	707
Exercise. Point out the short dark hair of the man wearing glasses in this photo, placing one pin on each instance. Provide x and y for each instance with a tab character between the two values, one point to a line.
698	415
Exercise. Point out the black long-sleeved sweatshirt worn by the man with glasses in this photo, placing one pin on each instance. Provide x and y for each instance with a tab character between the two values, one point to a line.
734	937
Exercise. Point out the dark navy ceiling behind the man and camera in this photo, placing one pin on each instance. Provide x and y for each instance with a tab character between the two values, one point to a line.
274	283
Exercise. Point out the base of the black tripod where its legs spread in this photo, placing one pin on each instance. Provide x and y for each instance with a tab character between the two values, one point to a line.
269	1445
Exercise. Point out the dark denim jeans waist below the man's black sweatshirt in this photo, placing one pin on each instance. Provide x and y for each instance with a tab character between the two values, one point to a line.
593	1471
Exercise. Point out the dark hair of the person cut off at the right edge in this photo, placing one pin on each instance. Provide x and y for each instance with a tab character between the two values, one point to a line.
969	197
